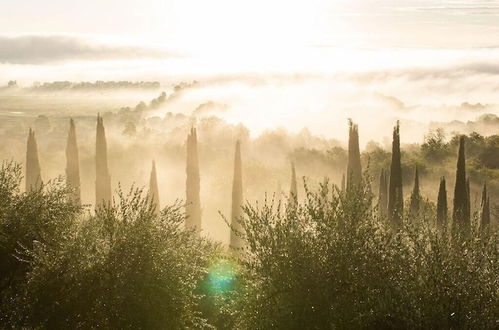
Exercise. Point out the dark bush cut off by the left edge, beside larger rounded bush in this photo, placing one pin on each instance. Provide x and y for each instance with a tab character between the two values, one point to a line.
26	220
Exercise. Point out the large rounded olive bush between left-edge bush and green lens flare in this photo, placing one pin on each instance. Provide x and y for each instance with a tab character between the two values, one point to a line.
125	267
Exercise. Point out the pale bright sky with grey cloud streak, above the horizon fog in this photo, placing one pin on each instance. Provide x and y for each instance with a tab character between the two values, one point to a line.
232	36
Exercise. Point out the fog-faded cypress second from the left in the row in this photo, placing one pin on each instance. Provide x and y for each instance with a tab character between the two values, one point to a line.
73	163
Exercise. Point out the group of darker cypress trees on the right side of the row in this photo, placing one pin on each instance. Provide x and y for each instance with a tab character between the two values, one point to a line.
390	195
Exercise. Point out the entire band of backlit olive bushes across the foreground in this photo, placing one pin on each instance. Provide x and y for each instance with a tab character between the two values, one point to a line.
330	262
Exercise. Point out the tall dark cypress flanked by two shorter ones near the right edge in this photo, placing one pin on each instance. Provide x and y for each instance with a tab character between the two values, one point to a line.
461	211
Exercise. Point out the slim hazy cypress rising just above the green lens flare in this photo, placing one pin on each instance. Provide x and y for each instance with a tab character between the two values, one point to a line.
237	200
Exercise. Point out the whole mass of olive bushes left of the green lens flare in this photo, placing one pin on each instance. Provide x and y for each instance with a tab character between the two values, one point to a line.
124	267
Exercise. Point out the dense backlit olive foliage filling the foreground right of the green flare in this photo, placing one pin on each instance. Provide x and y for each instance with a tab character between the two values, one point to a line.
333	263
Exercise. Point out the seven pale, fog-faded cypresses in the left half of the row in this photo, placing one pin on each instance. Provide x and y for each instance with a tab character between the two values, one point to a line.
103	191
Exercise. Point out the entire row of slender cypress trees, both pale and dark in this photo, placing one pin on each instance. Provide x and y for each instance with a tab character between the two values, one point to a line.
391	203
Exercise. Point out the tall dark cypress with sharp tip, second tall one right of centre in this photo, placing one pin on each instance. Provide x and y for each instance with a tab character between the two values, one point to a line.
395	194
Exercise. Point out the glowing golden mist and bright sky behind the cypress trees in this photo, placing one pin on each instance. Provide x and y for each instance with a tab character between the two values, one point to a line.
280	75
